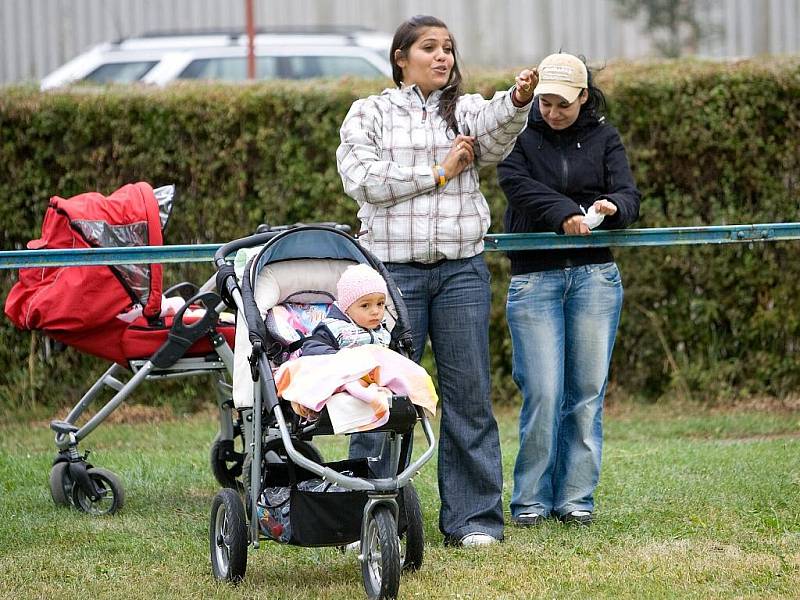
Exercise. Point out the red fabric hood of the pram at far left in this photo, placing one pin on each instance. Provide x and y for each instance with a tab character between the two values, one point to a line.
79	305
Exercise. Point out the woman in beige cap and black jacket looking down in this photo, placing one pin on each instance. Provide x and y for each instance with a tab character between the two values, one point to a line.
568	173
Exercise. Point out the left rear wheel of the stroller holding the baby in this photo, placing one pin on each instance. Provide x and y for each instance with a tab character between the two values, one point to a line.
228	537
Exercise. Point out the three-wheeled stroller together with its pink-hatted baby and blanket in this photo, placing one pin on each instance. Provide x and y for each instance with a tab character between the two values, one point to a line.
320	270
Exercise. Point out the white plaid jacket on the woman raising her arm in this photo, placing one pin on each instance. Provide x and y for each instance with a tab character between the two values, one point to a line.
389	144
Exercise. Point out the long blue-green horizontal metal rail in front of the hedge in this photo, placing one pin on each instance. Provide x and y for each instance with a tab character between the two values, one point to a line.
502	242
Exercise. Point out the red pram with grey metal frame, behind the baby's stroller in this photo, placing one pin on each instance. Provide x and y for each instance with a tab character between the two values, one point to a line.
117	313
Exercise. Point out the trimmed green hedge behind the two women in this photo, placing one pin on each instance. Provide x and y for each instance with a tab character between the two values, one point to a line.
710	143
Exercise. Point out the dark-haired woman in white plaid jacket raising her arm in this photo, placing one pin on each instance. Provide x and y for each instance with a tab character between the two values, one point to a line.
410	158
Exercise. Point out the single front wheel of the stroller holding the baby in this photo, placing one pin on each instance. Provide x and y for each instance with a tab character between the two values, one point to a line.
380	565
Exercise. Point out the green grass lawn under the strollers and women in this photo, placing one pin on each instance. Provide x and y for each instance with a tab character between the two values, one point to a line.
692	503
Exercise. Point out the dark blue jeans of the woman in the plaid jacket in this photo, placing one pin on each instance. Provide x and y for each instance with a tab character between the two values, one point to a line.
450	303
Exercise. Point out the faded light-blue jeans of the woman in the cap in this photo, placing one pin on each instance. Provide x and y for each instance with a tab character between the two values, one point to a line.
563	324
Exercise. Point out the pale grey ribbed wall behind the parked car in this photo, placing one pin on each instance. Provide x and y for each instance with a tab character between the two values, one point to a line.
36	36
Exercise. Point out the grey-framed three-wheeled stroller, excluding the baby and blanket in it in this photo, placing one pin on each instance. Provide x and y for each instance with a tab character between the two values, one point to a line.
297	269
